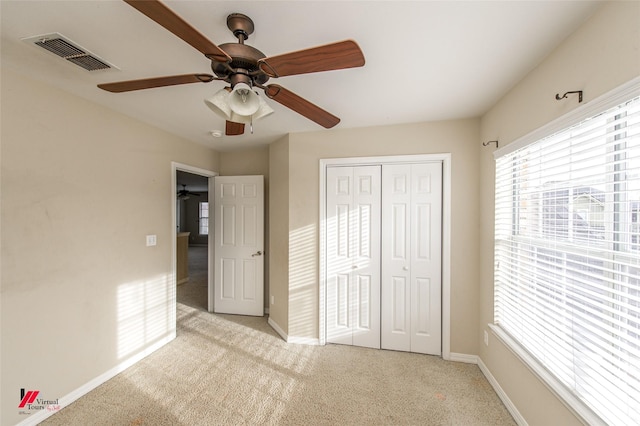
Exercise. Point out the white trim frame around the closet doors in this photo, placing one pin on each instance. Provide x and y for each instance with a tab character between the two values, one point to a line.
445	159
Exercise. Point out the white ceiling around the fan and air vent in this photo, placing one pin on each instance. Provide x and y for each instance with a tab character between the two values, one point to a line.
425	60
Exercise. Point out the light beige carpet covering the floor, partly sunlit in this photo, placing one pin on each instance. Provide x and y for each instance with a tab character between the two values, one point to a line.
234	370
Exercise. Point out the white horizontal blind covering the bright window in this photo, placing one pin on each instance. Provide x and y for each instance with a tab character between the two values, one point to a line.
567	252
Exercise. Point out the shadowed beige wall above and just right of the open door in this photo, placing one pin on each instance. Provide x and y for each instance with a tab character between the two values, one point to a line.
252	161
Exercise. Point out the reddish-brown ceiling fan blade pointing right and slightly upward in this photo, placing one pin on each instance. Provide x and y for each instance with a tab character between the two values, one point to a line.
334	56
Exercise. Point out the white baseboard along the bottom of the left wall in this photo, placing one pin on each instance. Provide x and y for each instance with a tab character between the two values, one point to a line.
66	400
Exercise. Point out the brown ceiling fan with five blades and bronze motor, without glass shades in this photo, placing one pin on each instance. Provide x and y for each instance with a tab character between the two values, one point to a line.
241	64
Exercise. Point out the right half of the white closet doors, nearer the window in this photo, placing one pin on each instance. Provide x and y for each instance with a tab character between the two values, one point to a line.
411	253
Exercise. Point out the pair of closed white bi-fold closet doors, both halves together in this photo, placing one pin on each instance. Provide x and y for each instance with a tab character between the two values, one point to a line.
384	256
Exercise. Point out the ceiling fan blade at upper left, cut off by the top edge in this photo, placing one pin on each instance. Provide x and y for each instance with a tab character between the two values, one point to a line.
164	16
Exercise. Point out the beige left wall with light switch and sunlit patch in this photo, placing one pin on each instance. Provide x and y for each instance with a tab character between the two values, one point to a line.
80	291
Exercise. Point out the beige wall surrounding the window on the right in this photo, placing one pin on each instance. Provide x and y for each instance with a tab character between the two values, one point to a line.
602	54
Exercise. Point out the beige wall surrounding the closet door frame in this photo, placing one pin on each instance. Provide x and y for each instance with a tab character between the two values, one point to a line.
460	138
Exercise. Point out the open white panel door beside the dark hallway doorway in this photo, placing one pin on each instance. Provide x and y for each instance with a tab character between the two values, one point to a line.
239	245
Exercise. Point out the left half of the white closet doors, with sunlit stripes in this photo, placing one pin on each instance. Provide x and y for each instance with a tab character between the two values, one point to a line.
353	256
